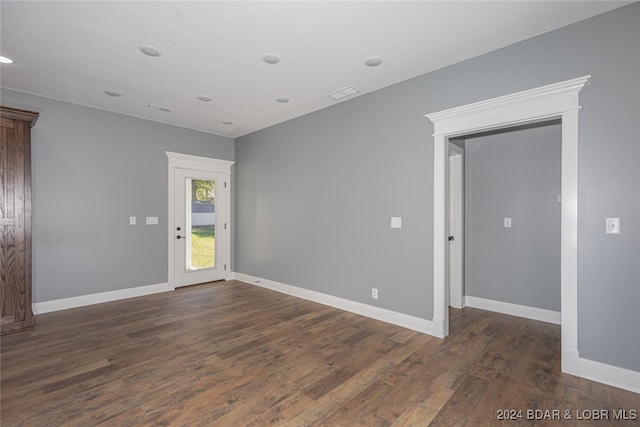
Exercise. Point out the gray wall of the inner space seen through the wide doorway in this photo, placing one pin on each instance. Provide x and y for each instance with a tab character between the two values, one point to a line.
514	174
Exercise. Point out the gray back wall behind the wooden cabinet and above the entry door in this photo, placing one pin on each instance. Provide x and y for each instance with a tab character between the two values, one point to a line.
92	170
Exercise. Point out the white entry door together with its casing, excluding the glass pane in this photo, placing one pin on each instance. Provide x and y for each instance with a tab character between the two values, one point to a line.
181	168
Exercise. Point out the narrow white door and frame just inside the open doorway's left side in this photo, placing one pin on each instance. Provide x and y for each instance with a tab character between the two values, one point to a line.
455	209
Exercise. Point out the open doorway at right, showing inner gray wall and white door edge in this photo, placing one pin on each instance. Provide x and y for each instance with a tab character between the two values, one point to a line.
504	200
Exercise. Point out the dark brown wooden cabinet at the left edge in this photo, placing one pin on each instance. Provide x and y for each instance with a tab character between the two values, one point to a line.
15	219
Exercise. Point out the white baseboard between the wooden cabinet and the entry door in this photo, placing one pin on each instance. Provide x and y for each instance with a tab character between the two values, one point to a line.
82	300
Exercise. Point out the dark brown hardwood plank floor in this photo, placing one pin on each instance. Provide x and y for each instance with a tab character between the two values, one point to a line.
231	354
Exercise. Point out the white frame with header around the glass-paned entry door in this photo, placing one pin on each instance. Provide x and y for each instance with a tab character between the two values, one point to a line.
223	237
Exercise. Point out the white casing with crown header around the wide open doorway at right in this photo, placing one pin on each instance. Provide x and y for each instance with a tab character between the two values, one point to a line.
559	100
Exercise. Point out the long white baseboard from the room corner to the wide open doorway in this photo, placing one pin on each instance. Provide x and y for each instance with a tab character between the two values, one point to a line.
393	317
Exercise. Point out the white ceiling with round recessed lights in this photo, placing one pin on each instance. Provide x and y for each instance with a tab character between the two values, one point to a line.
74	51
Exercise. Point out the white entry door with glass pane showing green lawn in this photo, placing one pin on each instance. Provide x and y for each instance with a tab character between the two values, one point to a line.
200	230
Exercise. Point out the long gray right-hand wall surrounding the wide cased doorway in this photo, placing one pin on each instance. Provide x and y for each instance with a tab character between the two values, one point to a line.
314	195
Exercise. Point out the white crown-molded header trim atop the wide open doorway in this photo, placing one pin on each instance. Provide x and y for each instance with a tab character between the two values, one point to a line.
538	103
